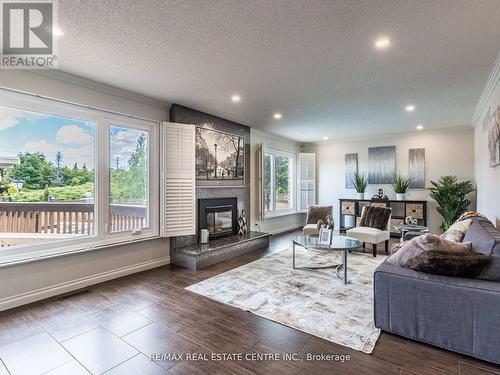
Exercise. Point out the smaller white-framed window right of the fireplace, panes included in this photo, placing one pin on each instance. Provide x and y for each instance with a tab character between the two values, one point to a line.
279	183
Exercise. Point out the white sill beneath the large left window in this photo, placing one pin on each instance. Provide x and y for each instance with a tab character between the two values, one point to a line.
36	256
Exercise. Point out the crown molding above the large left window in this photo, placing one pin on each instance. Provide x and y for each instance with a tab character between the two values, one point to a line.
101	87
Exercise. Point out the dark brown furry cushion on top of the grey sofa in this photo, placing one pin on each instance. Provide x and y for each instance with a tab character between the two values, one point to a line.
438	262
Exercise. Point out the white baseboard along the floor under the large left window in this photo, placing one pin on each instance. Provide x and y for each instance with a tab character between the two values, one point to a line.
69	286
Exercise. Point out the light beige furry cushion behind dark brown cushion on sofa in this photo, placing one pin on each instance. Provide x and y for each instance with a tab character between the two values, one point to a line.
427	242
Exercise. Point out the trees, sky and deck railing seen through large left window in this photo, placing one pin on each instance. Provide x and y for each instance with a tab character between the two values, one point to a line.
47	177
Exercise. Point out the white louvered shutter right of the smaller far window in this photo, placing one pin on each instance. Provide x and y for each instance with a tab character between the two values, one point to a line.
307	180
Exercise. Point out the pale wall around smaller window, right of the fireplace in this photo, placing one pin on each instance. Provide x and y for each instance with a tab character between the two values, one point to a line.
277	224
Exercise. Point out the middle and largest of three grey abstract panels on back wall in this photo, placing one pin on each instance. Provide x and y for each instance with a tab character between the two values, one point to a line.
381	165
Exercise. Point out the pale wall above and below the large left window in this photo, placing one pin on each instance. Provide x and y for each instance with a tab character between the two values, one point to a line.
32	281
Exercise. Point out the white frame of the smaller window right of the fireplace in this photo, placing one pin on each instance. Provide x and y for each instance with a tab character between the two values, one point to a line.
275	153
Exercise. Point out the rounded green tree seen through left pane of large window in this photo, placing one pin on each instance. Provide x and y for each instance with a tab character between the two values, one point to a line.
34	170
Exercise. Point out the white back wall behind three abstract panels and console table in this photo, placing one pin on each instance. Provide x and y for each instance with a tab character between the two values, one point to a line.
447	152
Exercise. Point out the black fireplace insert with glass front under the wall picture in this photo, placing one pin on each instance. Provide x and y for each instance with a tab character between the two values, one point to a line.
219	216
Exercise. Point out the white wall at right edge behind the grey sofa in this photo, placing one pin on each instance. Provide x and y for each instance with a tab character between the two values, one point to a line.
488	179
